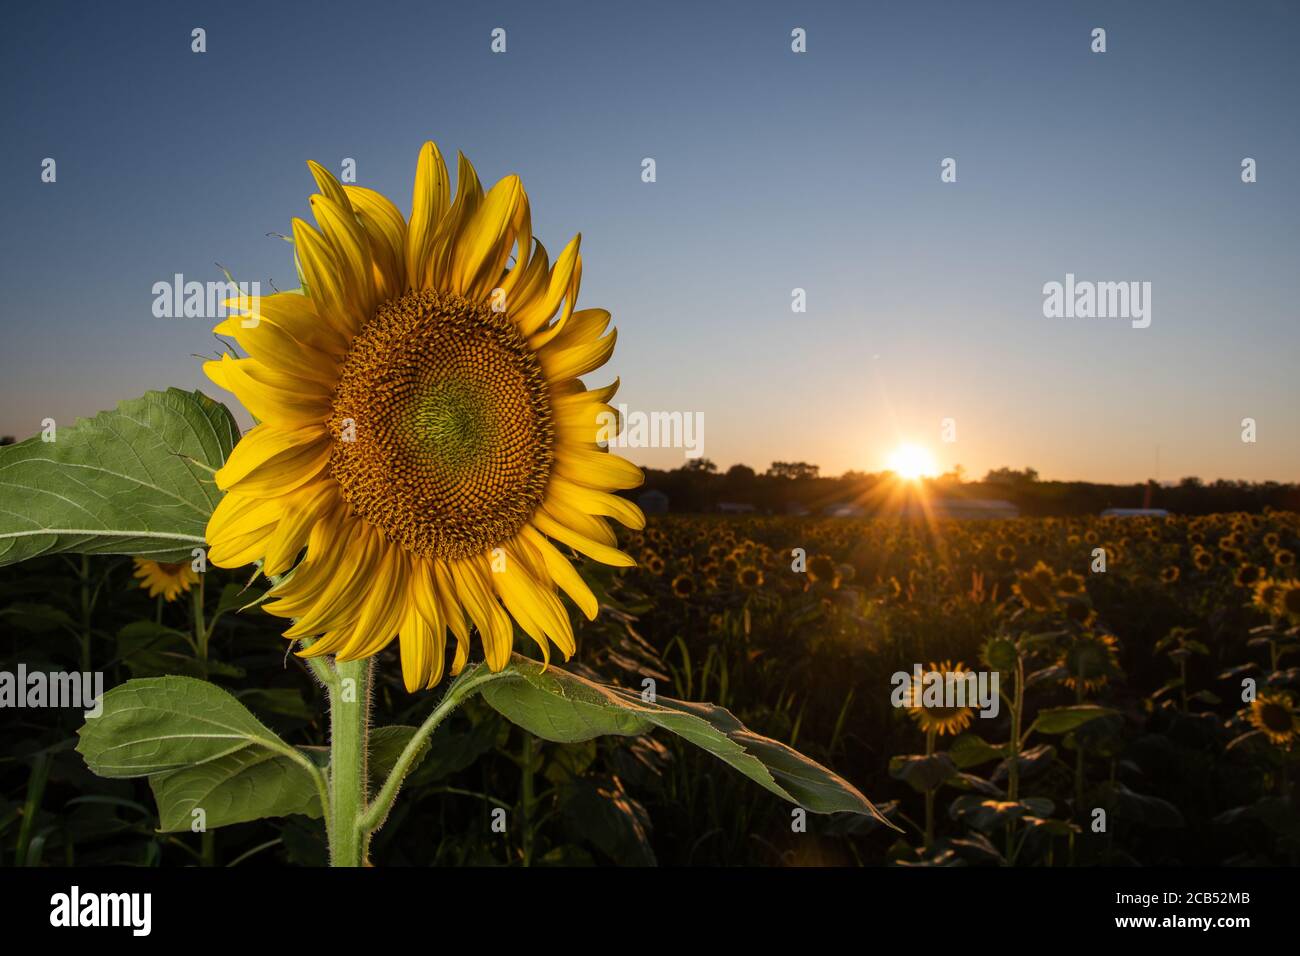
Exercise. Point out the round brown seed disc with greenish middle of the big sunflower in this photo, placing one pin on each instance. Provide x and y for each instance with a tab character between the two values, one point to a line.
443	426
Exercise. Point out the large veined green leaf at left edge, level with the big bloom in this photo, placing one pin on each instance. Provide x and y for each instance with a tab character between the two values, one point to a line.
135	481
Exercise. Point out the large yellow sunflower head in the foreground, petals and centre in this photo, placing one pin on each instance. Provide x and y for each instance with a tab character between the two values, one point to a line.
424	434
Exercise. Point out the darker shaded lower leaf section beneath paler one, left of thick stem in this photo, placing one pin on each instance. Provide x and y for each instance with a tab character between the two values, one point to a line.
252	784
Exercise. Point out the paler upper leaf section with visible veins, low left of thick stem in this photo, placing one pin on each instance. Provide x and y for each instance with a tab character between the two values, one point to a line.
158	725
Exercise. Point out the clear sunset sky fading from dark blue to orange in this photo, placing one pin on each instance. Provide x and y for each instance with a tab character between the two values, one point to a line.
775	171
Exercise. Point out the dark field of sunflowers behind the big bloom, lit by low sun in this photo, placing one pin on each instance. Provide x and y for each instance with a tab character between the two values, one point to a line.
1146	668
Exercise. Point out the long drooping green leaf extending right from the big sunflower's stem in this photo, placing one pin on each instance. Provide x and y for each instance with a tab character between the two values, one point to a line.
565	708
